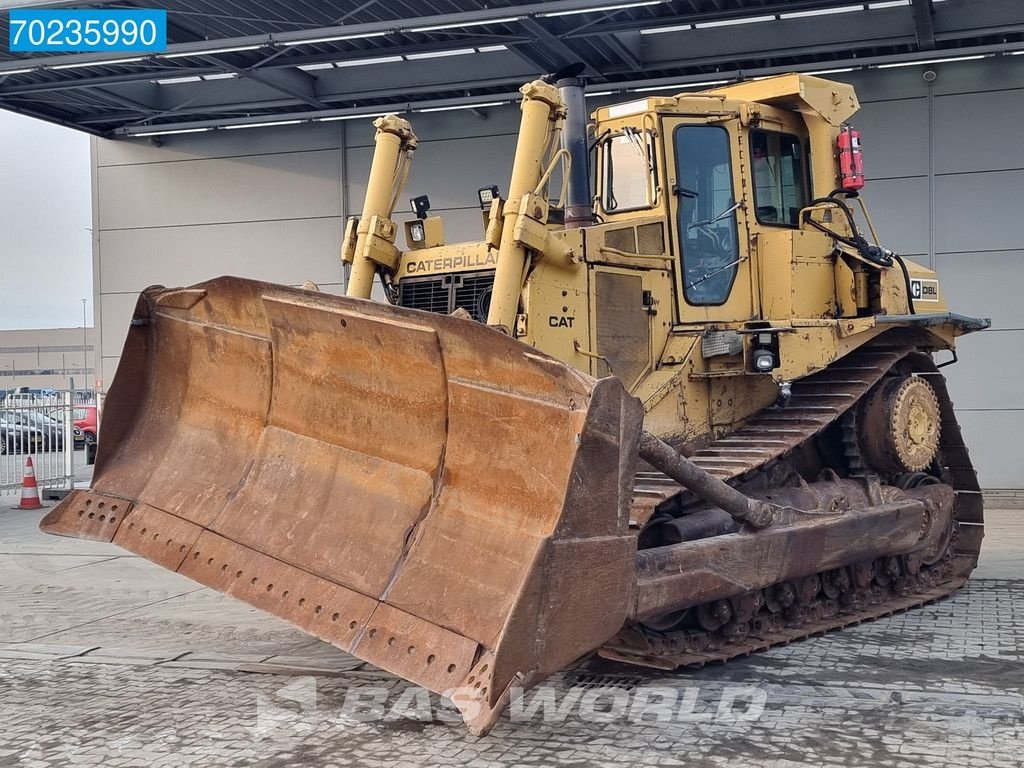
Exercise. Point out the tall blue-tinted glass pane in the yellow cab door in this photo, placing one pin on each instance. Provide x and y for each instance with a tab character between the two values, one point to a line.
707	223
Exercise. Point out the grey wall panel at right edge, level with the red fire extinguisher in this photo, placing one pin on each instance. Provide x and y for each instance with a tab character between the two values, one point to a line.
973	133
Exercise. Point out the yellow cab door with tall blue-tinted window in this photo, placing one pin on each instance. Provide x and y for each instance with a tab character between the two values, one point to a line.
709	222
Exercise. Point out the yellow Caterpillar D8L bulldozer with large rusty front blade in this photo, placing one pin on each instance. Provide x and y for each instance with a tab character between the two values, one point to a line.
687	417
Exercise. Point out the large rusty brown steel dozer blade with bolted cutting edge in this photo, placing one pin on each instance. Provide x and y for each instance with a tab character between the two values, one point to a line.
420	491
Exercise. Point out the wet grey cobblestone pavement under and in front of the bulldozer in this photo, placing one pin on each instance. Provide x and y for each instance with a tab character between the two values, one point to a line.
106	661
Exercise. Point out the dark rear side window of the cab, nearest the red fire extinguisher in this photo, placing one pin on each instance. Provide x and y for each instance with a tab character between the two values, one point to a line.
780	178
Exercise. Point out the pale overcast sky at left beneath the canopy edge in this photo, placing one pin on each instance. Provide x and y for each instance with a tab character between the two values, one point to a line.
46	217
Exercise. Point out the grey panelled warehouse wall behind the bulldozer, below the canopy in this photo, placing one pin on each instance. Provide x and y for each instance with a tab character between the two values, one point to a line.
945	158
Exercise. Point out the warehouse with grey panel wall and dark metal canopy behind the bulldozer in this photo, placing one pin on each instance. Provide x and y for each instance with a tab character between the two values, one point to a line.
245	148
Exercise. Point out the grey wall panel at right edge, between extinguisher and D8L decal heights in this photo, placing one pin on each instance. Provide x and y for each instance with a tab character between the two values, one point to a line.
978	212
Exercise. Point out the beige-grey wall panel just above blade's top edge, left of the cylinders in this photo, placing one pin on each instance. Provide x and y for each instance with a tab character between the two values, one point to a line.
289	252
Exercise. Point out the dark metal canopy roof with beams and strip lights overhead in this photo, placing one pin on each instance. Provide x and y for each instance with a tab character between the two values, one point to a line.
248	63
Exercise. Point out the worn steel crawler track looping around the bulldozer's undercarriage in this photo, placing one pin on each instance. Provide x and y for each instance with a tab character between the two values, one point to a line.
819	402
